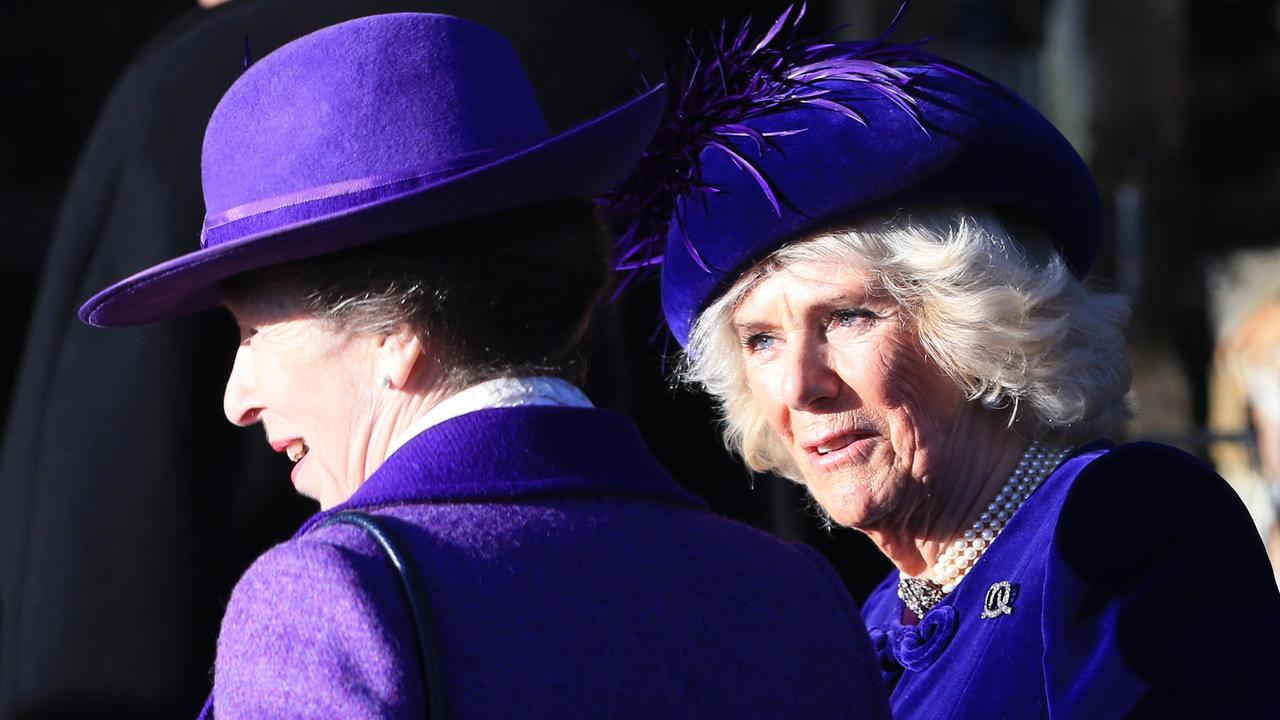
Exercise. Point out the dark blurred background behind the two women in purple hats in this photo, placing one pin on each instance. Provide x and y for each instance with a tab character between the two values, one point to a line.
127	509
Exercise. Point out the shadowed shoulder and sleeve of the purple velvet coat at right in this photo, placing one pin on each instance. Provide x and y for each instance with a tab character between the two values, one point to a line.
1156	576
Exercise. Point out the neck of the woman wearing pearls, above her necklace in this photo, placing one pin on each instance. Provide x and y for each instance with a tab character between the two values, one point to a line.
950	499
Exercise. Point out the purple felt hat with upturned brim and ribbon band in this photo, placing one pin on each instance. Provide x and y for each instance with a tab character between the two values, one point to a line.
368	130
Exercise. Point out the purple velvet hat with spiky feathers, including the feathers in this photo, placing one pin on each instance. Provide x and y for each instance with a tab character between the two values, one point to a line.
770	138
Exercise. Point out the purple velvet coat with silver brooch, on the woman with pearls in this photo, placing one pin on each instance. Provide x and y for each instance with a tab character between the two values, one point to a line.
1144	591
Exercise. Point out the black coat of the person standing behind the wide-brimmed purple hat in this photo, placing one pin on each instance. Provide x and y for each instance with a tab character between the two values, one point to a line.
129	505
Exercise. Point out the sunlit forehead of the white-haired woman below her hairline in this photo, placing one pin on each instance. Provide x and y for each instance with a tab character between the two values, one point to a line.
804	284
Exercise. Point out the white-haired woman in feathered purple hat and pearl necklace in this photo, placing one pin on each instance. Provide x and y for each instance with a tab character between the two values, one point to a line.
876	263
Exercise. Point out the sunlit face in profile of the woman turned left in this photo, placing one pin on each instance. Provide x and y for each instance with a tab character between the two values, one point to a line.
312	389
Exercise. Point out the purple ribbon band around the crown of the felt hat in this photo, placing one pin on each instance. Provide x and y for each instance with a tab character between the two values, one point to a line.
314	203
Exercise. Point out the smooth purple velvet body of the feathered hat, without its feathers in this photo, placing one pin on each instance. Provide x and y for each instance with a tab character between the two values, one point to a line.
980	144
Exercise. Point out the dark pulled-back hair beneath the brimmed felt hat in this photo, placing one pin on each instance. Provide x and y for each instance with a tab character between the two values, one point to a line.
501	295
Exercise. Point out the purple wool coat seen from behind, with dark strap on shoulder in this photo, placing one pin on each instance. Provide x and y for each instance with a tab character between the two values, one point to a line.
568	577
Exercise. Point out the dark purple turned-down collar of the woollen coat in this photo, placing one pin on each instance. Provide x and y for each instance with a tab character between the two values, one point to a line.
518	453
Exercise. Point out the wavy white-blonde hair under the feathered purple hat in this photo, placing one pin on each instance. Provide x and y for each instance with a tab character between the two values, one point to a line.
1004	318
